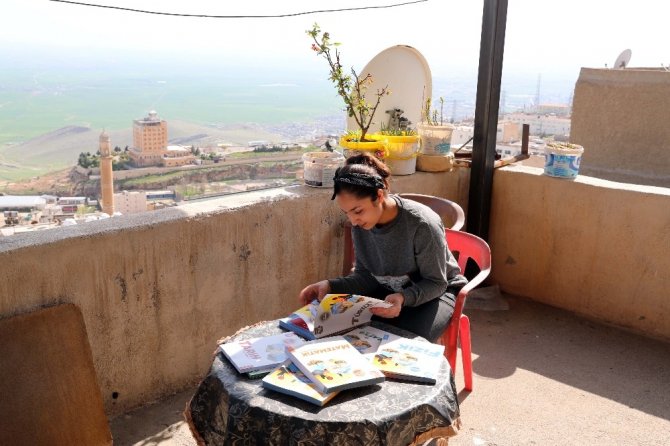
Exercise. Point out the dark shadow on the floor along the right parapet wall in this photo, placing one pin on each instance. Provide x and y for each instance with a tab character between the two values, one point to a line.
609	362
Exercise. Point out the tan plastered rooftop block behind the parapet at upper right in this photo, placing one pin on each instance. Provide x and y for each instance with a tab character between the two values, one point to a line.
621	118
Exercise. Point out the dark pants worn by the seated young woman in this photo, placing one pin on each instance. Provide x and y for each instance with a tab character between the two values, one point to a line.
427	320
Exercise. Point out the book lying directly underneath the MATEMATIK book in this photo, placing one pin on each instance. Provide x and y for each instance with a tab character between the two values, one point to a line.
288	379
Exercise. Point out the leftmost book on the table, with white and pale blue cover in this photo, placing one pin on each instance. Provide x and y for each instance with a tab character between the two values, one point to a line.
263	353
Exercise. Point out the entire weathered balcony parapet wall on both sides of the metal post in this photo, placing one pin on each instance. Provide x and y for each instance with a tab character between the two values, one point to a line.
158	289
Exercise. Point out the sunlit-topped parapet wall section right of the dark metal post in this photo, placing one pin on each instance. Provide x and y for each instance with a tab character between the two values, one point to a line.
595	247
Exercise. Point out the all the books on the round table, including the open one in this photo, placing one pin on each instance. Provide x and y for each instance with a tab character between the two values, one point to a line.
317	365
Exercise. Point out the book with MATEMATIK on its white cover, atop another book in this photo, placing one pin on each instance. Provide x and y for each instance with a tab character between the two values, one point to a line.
333	364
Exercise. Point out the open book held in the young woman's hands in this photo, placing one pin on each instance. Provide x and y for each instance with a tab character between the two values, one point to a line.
335	314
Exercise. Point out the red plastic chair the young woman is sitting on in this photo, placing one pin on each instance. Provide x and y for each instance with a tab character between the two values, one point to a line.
465	246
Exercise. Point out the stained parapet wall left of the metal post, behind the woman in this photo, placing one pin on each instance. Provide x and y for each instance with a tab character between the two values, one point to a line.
158	289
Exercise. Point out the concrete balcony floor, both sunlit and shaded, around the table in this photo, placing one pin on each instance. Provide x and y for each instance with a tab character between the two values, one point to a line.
542	377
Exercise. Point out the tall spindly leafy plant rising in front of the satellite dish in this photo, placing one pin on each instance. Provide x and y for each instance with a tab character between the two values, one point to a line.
351	88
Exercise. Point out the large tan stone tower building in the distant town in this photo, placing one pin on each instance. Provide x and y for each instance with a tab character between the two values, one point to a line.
150	144
